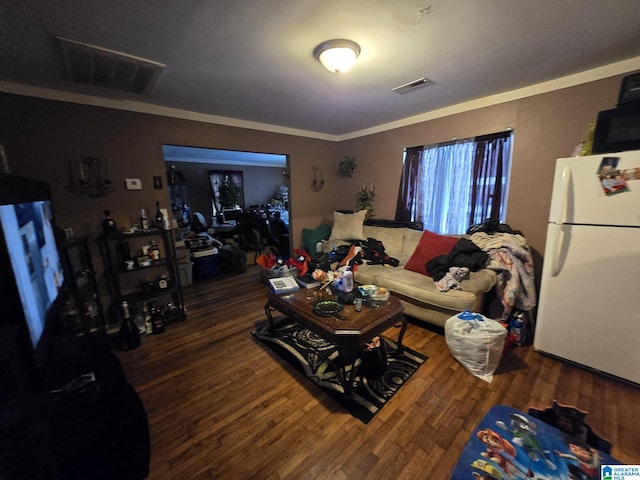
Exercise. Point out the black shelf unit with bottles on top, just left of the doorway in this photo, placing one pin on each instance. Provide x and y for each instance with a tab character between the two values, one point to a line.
138	284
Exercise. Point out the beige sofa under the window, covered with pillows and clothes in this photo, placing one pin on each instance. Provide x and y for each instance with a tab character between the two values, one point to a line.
418	293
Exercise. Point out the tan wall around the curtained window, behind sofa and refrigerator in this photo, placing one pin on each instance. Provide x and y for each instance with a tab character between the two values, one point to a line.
546	127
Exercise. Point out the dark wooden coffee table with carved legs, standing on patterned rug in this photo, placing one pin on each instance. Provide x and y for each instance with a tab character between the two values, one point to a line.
348	330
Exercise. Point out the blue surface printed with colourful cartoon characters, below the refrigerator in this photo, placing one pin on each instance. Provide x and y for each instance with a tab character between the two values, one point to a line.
507	444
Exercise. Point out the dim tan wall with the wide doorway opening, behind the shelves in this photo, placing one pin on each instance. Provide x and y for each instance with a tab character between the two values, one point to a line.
41	135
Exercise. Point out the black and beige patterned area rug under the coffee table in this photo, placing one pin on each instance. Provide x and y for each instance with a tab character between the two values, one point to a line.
318	359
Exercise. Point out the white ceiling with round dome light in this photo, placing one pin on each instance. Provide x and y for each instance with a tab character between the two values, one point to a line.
252	60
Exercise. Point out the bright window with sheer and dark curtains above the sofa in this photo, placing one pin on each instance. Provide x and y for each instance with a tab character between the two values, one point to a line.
451	186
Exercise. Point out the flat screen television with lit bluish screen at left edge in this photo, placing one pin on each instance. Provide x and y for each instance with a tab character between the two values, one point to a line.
32	272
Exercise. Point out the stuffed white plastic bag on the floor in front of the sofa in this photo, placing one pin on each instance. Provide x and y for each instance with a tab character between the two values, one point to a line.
476	342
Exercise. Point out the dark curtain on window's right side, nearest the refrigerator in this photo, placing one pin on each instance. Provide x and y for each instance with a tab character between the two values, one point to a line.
491	155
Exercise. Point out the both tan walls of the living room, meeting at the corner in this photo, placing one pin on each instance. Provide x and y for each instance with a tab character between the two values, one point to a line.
40	136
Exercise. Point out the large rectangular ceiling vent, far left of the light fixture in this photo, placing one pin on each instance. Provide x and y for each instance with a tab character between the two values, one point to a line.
93	65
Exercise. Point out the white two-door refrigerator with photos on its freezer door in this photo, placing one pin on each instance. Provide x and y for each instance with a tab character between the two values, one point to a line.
589	305
